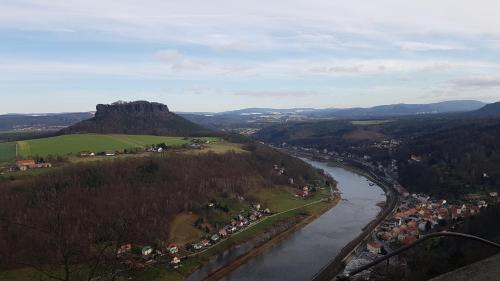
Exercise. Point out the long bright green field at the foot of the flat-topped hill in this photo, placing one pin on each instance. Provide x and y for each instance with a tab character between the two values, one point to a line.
73	144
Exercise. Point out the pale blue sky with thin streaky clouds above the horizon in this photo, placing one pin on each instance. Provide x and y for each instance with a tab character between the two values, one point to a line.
217	55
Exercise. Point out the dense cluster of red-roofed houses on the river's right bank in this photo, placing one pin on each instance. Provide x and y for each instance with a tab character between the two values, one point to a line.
415	215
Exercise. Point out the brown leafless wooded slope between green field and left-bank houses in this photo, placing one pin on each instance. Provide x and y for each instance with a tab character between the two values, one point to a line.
80	214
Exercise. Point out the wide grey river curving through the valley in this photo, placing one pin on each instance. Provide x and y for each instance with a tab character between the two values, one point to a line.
306	251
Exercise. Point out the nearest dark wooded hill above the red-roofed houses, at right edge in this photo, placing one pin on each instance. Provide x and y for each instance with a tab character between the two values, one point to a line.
454	160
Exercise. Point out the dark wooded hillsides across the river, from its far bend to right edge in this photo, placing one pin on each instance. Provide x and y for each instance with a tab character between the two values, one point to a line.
457	154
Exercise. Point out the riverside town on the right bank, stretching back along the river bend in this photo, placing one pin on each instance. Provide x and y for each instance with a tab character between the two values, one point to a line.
414	215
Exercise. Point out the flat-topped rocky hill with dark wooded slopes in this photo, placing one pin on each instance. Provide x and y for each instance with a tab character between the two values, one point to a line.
139	117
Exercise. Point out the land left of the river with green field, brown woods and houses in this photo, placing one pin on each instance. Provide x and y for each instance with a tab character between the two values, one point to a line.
233	191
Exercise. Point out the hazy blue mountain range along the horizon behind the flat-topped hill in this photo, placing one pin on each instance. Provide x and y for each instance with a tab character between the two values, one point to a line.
261	116
